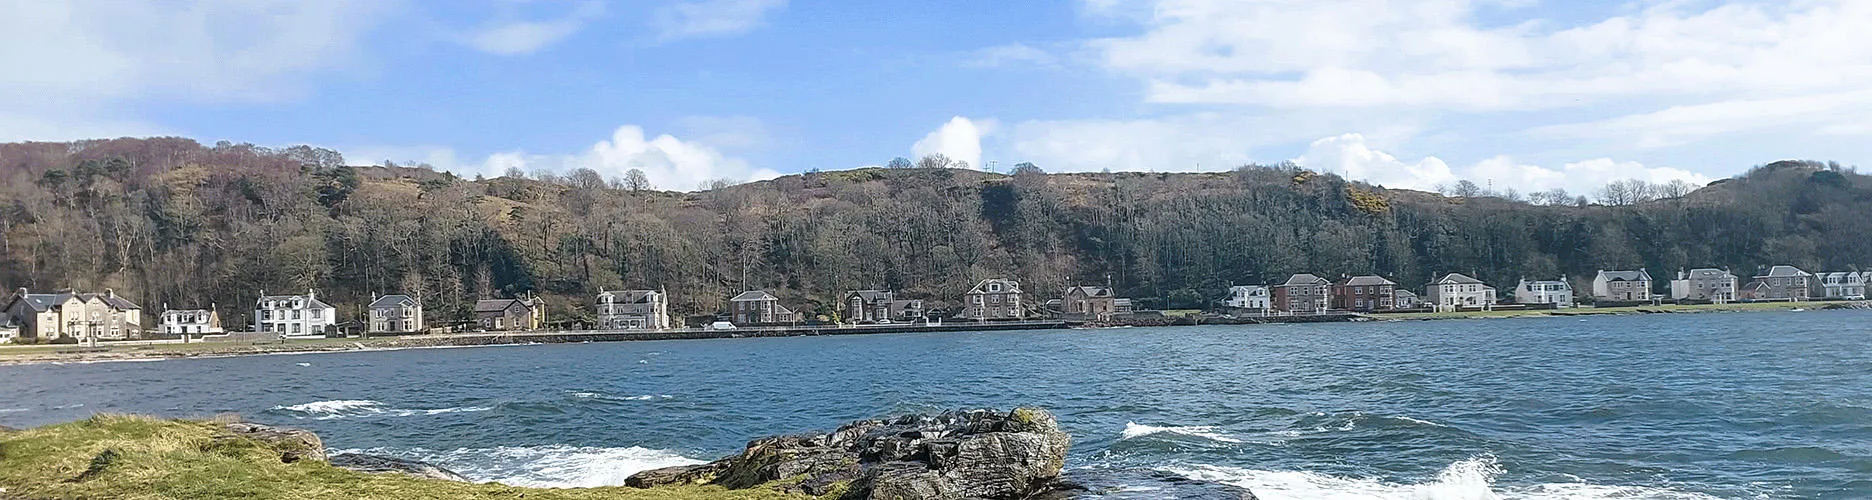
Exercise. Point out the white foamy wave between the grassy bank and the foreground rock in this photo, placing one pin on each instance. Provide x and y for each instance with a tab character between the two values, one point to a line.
542	465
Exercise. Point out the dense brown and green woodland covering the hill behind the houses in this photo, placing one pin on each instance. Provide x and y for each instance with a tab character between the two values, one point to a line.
183	224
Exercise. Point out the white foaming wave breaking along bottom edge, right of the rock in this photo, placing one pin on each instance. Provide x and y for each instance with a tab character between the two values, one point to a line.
1465	480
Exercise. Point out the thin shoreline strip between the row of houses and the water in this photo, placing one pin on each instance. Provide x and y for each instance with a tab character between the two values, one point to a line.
59	355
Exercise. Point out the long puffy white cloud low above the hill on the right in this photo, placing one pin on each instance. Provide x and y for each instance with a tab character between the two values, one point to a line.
1353	158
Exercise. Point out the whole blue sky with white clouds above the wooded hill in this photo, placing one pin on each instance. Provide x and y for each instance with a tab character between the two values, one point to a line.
1527	95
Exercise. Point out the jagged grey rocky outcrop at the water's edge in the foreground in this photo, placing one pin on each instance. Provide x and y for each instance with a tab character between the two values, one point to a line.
976	454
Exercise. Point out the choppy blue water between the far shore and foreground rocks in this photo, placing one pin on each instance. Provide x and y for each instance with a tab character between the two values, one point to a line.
1770	405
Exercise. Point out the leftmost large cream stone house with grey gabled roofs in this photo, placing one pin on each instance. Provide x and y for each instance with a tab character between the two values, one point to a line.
72	316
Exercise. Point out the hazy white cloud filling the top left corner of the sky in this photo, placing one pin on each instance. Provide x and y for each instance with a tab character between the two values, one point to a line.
74	68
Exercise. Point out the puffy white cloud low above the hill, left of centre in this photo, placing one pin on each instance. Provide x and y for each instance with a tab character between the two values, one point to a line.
669	162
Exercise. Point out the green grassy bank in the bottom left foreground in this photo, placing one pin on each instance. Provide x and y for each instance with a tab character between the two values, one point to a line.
181	460
